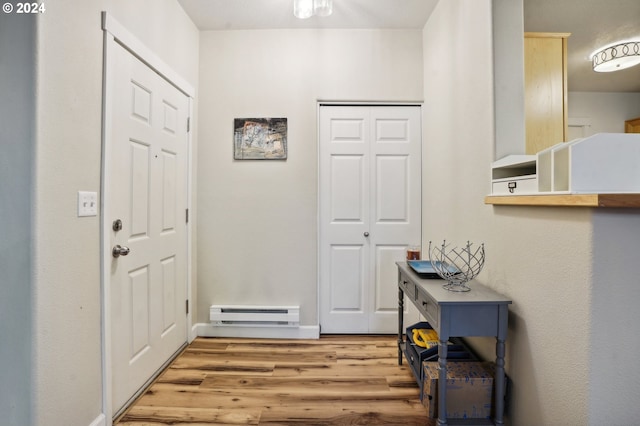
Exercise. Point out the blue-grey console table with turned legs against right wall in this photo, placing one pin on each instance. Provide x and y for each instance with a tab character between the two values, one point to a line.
479	312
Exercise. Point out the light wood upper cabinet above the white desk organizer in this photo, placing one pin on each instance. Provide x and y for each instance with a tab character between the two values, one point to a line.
545	76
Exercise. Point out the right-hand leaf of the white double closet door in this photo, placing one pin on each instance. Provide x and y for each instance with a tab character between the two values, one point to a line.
396	145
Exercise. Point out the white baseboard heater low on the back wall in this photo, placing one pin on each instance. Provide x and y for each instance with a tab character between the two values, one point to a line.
254	316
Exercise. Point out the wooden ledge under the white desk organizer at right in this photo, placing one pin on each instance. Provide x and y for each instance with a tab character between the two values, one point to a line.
566	200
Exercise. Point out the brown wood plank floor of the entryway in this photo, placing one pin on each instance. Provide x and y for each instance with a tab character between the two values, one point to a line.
335	380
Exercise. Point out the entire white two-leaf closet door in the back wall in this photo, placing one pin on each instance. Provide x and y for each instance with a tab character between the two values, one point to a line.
370	211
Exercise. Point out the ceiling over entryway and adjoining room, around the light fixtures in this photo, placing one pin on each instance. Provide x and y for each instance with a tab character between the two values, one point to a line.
592	24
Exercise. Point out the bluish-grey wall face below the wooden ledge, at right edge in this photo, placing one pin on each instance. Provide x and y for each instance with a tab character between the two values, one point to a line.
615	319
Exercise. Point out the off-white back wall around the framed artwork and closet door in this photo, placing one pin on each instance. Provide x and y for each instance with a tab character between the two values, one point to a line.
258	219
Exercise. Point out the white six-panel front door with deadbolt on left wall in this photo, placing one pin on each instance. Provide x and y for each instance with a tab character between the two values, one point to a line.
146	194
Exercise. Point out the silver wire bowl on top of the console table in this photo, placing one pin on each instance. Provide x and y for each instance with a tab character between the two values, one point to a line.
457	265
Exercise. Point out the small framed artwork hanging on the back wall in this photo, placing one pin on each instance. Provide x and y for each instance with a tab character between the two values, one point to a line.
260	139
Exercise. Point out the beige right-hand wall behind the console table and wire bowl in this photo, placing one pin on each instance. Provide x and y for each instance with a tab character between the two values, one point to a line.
539	257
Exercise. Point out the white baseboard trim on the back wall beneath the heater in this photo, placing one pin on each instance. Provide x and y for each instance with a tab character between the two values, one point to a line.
302	332
